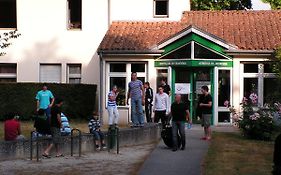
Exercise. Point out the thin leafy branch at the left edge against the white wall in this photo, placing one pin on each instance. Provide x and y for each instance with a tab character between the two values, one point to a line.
5	40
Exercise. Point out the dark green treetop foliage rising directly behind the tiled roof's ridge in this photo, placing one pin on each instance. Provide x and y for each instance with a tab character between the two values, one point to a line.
221	4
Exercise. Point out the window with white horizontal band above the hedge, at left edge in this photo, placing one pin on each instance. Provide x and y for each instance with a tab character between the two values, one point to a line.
8	73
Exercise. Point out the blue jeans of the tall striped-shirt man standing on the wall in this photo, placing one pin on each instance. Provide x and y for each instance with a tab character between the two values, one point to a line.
137	112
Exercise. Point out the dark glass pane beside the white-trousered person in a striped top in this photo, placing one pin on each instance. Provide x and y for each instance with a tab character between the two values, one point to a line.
120	82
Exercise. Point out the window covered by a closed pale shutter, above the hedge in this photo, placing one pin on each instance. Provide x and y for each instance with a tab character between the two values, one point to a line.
50	73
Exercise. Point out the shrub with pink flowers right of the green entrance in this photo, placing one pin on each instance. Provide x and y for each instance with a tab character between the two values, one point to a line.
256	122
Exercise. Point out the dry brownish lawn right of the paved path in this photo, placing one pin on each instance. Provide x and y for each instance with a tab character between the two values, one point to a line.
231	154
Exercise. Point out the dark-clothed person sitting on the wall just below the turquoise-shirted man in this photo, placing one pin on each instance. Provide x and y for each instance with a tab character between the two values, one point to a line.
42	124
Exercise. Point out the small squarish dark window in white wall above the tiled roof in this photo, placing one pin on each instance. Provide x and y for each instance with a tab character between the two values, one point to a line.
161	8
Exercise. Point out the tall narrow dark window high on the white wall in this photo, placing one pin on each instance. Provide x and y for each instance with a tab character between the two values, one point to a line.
74	14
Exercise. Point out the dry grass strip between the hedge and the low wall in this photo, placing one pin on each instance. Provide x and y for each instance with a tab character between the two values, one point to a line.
27	127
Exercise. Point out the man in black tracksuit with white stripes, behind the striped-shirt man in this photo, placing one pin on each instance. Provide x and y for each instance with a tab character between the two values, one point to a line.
148	101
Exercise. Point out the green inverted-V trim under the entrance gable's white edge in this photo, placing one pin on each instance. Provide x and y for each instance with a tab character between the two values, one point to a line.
194	37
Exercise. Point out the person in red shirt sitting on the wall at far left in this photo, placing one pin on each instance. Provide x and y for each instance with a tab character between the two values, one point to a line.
12	128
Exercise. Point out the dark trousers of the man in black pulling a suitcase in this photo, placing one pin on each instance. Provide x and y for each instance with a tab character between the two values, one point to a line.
178	127
